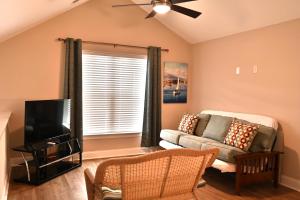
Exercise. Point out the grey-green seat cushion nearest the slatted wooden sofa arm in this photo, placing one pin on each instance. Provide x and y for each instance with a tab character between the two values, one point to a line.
227	153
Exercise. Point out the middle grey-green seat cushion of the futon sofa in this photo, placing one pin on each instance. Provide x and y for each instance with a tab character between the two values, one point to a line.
193	142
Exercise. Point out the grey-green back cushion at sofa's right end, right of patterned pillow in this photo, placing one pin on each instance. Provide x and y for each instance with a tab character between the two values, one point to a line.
264	139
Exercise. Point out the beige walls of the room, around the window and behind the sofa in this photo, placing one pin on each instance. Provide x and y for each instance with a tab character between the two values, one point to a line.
31	67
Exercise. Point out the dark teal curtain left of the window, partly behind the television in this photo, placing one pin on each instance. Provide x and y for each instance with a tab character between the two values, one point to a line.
73	85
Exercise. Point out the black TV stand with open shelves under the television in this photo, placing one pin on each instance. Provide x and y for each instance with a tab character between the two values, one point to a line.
50	159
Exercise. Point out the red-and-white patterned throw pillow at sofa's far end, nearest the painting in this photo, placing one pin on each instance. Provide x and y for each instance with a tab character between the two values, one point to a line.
188	123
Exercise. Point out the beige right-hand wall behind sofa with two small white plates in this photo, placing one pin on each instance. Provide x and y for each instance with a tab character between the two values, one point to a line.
273	91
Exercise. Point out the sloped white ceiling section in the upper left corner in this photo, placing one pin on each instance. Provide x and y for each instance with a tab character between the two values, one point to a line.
17	16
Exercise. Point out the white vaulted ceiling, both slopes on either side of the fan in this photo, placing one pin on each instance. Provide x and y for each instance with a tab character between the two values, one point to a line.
220	17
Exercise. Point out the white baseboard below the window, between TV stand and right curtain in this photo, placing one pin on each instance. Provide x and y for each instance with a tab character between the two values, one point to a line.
112	153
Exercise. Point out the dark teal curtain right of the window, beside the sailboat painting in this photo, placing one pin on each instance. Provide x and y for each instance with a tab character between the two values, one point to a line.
152	107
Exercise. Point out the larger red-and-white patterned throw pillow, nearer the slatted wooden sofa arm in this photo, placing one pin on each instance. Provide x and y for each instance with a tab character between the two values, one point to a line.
241	135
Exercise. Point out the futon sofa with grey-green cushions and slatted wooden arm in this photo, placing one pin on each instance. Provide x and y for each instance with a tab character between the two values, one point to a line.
259	163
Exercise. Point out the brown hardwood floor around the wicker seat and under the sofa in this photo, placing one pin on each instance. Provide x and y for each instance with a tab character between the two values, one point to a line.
71	186
